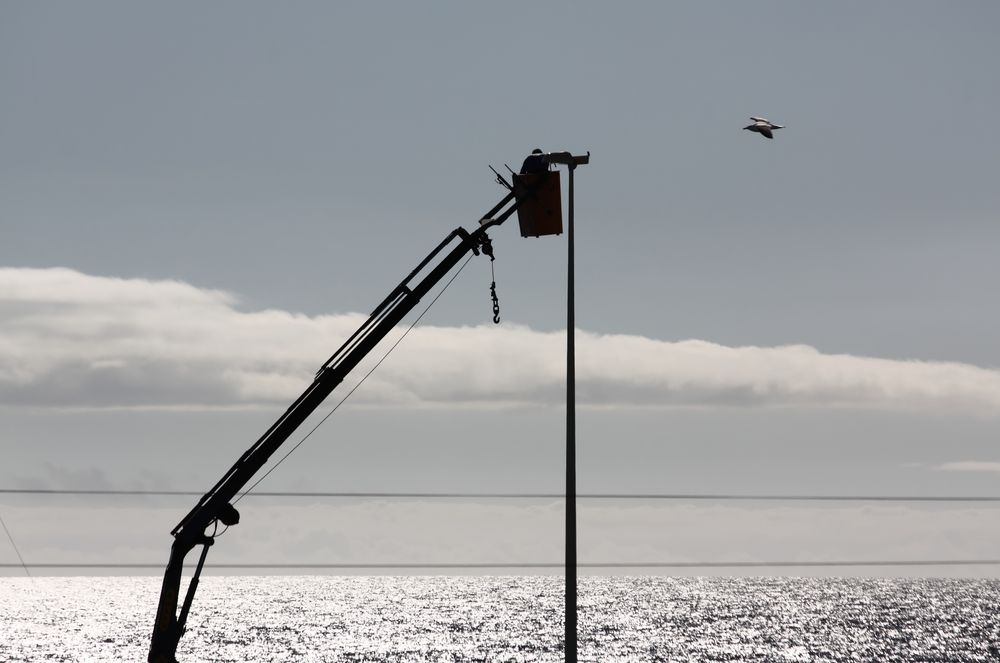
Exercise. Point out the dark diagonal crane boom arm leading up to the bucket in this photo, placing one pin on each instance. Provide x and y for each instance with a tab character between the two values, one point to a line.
216	505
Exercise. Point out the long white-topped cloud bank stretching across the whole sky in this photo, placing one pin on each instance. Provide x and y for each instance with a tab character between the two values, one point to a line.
69	339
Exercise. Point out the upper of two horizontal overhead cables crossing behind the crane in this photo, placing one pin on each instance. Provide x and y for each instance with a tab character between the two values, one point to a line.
526	495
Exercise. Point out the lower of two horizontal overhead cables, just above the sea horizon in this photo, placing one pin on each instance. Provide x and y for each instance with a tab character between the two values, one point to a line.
528	565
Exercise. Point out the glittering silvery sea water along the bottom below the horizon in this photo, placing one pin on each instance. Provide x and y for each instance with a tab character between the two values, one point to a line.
509	619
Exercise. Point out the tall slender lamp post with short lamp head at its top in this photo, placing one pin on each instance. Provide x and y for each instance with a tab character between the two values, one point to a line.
571	161
